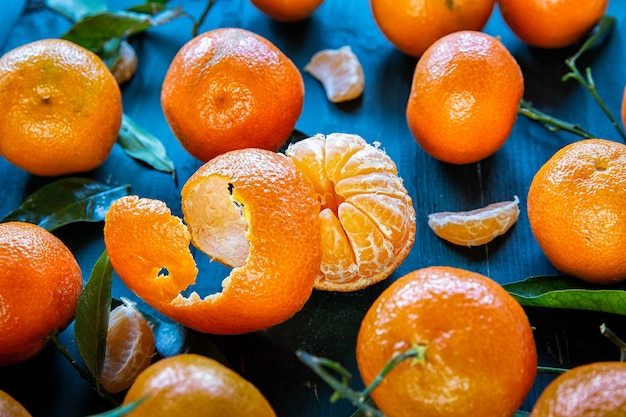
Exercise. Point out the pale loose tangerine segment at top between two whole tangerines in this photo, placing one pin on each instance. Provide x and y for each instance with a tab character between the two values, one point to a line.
339	71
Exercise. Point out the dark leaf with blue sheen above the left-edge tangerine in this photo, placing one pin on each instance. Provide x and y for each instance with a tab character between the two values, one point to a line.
65	201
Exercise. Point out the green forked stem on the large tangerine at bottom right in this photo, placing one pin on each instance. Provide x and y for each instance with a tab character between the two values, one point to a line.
342	390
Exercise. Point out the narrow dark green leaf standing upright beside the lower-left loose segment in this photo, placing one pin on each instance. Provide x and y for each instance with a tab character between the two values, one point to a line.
92	316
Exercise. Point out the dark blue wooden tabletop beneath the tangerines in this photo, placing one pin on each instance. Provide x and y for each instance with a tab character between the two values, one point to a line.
327	326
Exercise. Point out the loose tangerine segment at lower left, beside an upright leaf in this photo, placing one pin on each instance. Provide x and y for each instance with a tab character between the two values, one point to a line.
129	350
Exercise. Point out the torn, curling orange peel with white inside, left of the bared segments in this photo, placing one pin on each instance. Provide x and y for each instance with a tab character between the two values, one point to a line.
250	209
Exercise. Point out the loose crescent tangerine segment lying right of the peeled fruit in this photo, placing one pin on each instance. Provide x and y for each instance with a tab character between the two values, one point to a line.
475	227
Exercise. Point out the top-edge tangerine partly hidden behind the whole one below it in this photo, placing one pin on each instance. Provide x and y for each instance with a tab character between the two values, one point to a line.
413	26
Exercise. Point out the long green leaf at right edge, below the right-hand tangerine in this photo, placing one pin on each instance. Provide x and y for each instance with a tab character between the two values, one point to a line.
560	291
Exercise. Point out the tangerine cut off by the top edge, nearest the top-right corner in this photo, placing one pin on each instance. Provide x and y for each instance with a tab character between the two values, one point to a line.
554	23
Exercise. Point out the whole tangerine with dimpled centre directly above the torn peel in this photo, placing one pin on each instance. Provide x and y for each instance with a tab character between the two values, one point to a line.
229	89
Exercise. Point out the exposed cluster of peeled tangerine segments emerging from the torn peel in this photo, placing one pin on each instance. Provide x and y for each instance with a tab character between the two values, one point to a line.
367	216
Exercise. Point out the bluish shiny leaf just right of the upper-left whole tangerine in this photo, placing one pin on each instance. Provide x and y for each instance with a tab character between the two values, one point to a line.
141	145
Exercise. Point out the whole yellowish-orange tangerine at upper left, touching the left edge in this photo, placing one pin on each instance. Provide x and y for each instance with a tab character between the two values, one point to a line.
61	108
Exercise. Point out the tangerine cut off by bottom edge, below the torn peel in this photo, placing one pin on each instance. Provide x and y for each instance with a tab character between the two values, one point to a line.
191	385
